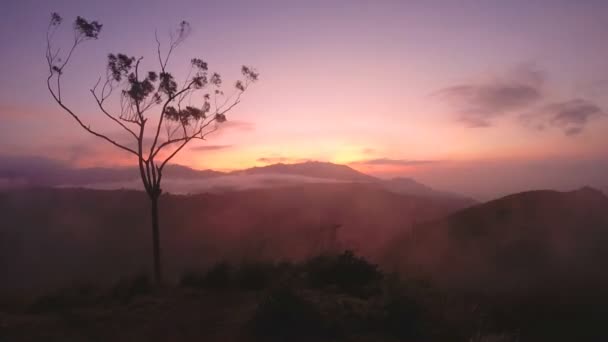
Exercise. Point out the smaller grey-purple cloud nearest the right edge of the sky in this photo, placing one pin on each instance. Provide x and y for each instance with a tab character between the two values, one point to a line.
570	116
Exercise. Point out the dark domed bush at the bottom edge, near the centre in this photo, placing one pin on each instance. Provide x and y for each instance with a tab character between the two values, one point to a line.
285	315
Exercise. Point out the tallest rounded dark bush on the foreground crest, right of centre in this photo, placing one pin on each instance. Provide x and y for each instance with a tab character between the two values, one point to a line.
345	272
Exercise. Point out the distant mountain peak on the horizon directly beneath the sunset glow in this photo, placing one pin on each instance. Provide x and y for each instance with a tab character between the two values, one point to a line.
311	169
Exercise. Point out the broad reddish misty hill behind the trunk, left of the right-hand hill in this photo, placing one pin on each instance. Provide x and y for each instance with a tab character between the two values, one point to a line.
57	234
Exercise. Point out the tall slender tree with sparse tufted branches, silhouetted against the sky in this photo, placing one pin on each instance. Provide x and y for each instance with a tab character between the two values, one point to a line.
141	98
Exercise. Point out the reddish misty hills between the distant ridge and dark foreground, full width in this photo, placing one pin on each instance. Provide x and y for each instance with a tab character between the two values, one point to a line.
521	241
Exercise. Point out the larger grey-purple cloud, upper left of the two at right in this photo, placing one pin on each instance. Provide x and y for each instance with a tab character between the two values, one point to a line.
478	104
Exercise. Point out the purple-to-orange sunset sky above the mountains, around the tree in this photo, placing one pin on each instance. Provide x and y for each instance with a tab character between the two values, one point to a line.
480	97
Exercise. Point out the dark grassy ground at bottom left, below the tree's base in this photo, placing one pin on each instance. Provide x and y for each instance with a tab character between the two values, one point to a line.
174	315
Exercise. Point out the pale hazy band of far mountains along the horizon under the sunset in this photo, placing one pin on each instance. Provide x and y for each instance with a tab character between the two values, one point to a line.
183	180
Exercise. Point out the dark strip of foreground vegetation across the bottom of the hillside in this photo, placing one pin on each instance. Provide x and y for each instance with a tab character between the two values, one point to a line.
325	298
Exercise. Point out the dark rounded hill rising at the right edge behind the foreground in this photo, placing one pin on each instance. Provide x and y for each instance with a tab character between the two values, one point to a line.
517	242
